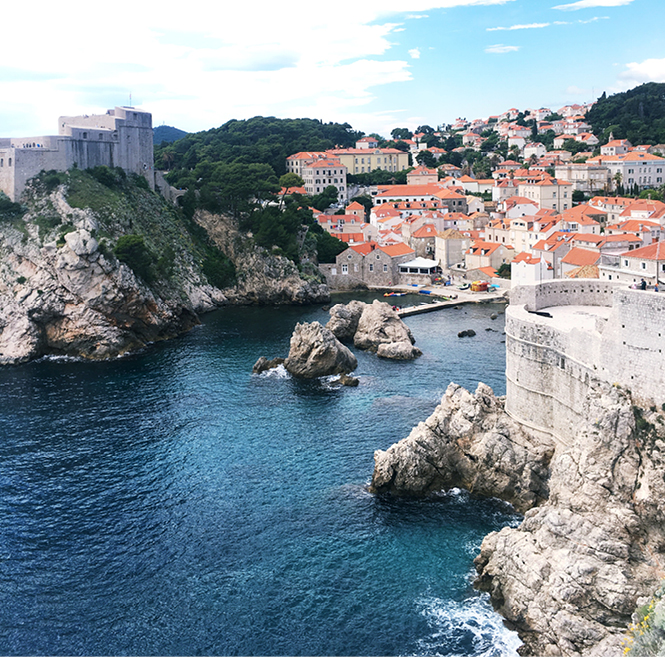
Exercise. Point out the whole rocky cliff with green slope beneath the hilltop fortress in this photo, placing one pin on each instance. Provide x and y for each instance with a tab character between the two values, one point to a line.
66	288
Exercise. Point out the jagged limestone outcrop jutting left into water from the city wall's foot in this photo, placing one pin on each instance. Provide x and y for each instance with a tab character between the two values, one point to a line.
468	442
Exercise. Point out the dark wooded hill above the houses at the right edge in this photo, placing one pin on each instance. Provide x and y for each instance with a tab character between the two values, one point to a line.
637	115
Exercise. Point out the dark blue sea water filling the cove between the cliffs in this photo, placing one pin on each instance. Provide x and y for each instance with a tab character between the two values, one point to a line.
173	503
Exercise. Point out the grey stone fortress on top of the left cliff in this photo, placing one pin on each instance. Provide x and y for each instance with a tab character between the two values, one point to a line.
120	138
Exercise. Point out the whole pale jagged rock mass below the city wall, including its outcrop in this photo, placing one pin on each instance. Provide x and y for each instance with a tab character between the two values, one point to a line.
592	541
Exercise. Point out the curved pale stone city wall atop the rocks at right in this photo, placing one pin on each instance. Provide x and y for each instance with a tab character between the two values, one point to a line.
598	331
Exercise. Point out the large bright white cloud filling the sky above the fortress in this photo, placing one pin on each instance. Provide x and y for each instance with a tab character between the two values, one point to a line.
197	73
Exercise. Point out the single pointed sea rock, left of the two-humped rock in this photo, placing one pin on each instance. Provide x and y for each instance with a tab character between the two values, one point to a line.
315	352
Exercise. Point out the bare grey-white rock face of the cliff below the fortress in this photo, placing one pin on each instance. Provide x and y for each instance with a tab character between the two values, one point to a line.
63	292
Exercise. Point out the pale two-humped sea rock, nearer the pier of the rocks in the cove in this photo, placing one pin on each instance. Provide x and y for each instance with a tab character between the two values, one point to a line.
375	327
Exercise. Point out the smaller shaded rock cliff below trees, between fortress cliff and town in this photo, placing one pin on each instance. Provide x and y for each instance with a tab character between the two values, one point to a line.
262	277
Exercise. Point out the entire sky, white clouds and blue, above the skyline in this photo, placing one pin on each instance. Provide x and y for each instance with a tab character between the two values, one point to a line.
376	64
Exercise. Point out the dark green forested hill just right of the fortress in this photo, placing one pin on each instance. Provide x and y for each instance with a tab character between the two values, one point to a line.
261	140
